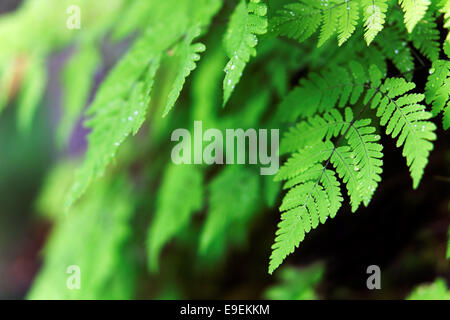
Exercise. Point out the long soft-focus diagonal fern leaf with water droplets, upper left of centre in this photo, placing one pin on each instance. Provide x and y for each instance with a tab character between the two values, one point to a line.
117	118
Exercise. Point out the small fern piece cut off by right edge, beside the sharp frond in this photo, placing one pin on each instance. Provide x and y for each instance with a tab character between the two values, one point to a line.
437	90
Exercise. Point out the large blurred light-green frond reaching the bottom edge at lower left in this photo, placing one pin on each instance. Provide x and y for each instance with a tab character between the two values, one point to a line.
77	240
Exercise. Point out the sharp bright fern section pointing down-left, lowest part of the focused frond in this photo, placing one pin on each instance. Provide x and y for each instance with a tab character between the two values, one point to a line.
315	197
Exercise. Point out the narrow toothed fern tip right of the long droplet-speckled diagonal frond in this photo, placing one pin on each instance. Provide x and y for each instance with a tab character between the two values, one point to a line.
188	54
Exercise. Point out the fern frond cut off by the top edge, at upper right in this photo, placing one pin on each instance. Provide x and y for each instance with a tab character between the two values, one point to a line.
301	19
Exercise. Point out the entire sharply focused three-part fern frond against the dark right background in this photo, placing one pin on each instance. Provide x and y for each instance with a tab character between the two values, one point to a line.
355	157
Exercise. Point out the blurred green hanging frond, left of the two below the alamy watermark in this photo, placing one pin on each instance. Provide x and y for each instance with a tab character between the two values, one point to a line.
179	197
